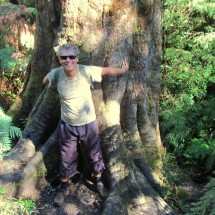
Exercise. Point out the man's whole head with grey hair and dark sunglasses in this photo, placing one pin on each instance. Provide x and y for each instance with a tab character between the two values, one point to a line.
68	57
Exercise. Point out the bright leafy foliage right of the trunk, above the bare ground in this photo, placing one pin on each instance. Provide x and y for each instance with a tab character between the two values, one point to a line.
187	101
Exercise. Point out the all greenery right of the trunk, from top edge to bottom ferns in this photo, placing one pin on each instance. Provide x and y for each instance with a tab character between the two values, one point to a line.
187	103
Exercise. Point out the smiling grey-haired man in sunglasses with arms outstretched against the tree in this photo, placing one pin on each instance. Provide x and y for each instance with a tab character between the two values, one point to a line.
78	118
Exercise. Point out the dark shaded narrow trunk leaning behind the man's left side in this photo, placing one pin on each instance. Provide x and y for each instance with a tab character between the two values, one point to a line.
41	61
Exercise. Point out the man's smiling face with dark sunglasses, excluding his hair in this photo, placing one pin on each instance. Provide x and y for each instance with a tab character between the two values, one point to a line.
68	60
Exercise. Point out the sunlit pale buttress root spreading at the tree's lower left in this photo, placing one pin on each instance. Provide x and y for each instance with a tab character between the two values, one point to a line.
19	171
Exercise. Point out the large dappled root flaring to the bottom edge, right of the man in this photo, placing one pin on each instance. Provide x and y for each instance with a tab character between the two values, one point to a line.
130	191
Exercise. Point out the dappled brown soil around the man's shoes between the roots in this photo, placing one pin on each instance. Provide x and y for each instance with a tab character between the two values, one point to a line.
82	200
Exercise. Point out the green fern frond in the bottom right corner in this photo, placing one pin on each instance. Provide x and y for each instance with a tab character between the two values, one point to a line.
206	204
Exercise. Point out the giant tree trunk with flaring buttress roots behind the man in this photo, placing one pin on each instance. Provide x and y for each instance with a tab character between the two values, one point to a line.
107	33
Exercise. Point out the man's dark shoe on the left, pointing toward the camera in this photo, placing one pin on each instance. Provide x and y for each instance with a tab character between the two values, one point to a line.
61	195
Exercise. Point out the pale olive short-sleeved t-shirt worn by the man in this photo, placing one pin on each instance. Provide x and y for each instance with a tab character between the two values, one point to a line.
77	106
